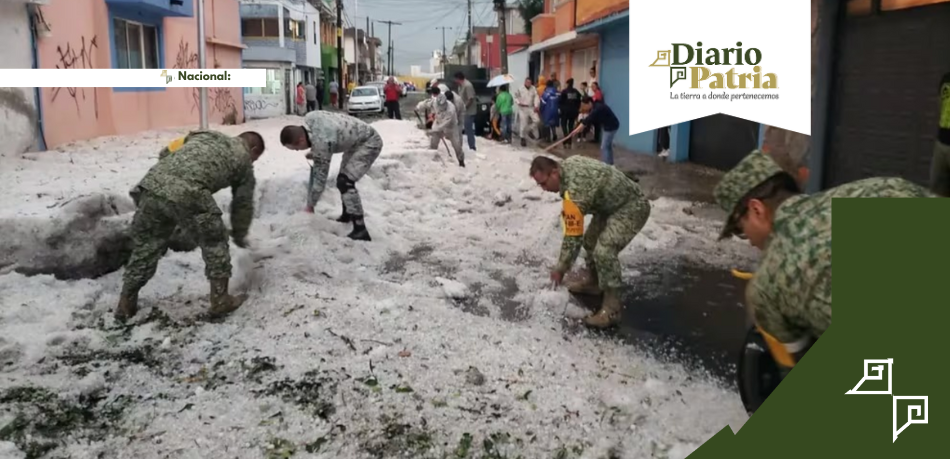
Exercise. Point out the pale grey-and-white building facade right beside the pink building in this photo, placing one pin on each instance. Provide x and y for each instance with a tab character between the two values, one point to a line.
283	37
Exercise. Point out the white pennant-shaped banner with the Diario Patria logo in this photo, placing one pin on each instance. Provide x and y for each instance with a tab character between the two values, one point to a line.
746	58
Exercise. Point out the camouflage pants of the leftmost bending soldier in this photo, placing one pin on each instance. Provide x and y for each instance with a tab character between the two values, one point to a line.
155	223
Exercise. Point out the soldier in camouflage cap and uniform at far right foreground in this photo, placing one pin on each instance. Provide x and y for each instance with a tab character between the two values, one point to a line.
790	295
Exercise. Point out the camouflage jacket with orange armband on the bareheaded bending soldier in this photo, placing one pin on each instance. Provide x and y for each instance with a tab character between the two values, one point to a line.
590	187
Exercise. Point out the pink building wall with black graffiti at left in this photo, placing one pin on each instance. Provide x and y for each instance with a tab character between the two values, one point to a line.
80	39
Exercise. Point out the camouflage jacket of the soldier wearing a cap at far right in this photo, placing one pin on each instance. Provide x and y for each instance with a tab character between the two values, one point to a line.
790	294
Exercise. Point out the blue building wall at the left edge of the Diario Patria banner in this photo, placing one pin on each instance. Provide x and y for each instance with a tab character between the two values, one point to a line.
614	78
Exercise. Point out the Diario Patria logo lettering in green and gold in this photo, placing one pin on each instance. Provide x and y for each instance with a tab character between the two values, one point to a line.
687	63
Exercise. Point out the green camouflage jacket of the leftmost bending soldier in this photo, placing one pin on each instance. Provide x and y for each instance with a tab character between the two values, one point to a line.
192	169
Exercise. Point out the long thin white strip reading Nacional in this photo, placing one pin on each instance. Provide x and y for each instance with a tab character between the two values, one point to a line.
123	78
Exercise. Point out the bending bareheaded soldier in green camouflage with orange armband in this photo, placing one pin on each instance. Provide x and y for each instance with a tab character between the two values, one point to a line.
619	209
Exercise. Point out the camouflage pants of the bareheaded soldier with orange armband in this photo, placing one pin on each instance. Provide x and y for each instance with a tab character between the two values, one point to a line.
608	235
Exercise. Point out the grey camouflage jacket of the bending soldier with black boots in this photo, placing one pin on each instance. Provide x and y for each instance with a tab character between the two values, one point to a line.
331	133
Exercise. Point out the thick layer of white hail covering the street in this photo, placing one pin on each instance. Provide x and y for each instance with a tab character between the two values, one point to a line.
315	295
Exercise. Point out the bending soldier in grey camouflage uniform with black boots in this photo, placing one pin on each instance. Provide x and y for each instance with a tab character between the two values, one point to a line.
324	134
